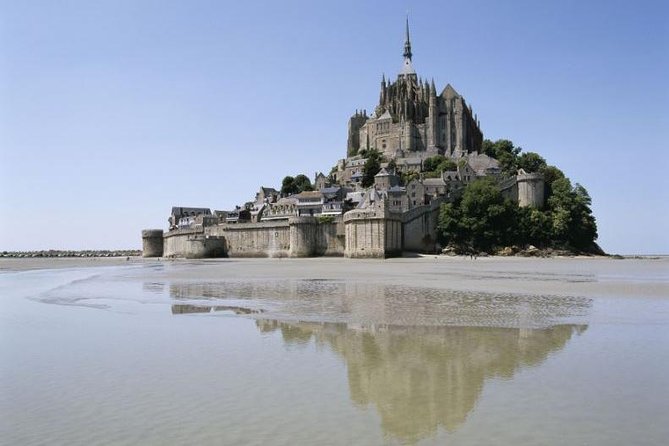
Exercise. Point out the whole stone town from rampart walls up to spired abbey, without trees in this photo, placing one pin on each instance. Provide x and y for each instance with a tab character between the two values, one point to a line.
417	151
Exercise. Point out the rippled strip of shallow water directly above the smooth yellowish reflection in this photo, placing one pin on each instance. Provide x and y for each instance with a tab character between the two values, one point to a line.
367	304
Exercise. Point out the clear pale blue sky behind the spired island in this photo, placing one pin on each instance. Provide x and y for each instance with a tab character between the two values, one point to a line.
112	112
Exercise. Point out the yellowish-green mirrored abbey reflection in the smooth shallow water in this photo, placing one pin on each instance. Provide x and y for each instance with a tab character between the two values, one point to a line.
423	378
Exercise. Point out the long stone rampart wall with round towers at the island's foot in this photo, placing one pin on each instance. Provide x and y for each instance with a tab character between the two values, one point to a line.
374	232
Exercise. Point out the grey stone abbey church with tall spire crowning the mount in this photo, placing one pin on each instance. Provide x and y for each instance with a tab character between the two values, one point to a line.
412	118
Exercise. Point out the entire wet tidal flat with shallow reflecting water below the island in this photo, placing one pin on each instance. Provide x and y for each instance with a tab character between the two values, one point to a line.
426	350
